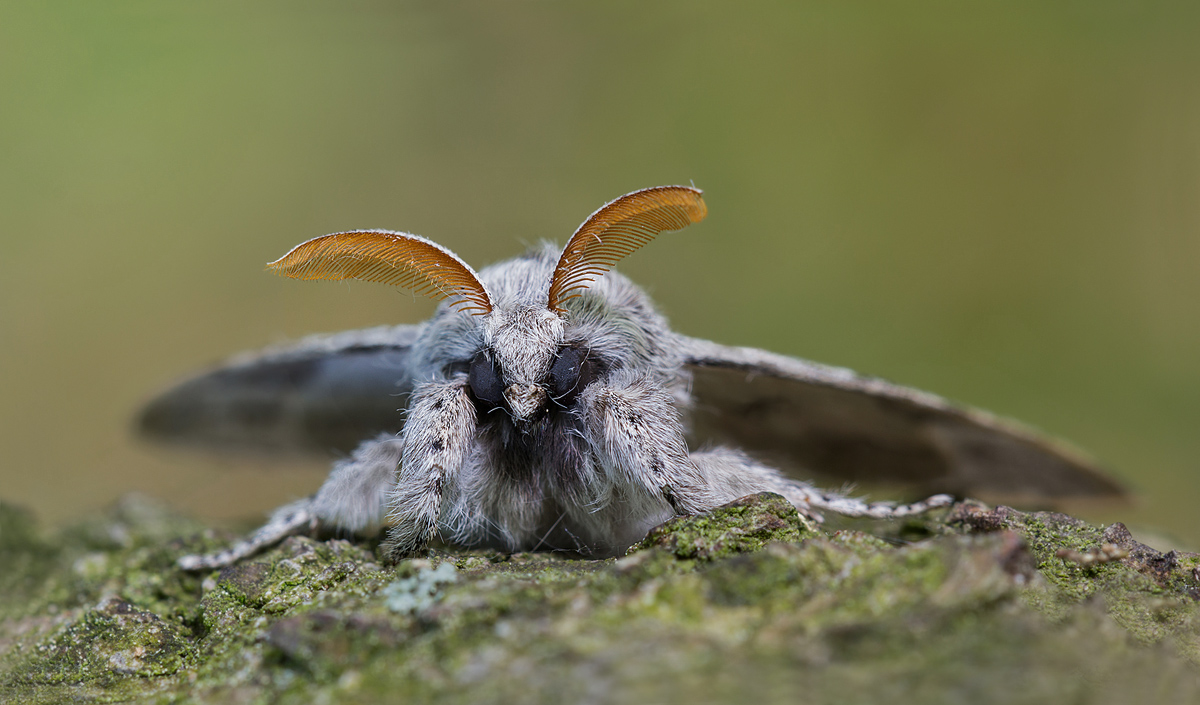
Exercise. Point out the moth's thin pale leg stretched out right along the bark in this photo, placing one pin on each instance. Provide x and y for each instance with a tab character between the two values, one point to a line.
734	475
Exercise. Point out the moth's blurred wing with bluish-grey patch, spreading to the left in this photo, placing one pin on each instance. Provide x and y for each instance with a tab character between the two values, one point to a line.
323	395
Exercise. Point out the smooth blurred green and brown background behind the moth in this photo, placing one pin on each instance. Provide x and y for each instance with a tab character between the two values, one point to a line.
998	202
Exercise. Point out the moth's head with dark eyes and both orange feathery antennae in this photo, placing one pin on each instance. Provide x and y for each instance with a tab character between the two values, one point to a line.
524	365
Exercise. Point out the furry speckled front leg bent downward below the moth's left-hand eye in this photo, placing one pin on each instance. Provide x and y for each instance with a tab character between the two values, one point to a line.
439	436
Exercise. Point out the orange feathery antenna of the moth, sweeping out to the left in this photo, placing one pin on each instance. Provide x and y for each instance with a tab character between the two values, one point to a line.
392	258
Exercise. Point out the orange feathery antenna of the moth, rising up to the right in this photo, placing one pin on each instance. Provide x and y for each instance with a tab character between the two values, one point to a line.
617	230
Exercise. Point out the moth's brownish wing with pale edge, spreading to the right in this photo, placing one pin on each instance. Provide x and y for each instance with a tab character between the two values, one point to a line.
830	423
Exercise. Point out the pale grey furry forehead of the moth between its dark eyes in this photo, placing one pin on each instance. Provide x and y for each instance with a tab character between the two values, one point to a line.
525	341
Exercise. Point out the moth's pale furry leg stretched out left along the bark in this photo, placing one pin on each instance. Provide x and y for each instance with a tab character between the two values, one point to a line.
352	501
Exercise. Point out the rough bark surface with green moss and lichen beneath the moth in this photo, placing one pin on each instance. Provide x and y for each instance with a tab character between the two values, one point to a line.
971	605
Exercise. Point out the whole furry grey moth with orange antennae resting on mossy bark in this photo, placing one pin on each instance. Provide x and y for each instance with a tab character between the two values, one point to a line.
549	407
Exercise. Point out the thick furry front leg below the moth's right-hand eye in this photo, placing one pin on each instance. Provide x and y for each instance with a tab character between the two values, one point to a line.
637	433
